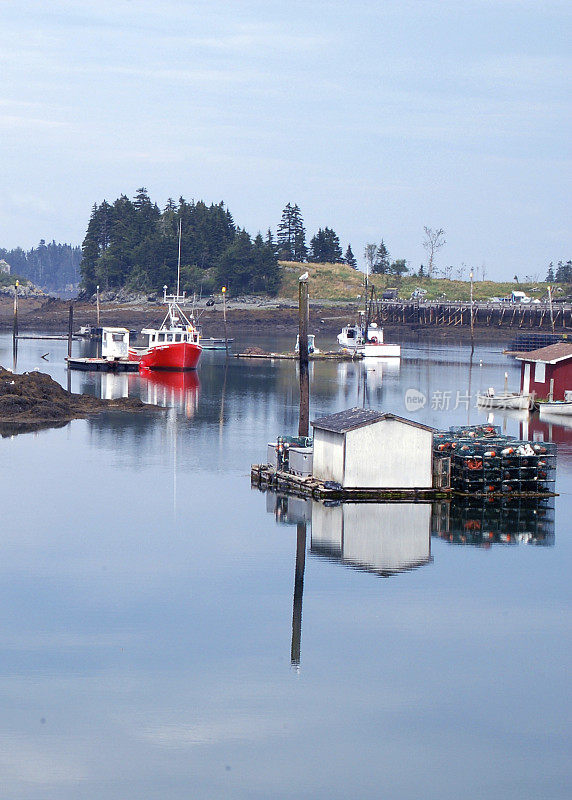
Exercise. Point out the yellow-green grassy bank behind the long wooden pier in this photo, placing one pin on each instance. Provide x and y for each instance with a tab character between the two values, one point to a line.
340	282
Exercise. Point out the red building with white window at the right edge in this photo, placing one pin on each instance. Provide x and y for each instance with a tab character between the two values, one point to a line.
547	371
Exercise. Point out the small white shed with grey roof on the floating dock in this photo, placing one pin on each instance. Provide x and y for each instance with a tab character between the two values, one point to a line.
363	448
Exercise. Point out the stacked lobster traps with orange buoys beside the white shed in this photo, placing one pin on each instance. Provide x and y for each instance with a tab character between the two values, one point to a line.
486	463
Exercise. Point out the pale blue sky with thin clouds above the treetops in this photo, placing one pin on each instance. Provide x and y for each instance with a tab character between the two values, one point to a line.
376	118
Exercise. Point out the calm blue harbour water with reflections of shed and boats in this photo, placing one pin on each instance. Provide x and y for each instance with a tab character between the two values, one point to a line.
148	595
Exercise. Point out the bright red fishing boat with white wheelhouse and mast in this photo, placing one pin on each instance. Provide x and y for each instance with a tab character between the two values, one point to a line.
175	345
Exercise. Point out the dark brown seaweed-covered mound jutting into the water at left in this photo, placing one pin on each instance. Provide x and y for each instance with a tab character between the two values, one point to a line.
36	397
